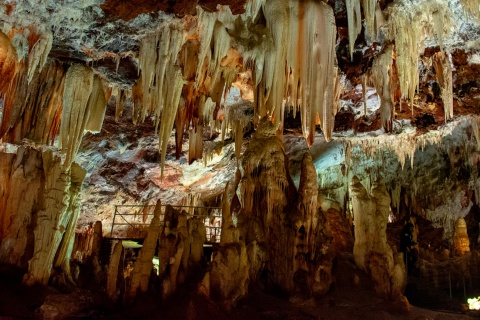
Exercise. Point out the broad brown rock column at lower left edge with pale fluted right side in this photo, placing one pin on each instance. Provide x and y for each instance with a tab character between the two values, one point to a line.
40	197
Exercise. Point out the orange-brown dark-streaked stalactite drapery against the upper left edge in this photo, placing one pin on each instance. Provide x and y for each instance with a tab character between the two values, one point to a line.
32	106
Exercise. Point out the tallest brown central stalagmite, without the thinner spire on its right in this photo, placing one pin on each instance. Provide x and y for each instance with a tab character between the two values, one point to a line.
266	188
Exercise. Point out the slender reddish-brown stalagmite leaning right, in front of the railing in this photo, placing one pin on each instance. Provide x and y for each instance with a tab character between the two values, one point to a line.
143	266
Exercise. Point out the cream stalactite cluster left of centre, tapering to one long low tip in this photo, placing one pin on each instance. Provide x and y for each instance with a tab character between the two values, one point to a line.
161	79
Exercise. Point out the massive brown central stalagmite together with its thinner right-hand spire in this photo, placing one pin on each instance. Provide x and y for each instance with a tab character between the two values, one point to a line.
286	234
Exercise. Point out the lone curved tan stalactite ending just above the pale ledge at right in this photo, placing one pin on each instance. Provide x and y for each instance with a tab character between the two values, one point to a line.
381	69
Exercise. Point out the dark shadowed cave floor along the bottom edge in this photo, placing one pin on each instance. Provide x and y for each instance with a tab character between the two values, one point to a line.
45	302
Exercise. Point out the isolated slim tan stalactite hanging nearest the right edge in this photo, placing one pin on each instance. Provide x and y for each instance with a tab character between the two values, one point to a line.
444	75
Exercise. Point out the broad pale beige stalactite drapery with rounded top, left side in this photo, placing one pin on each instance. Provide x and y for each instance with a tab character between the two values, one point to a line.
83	99
